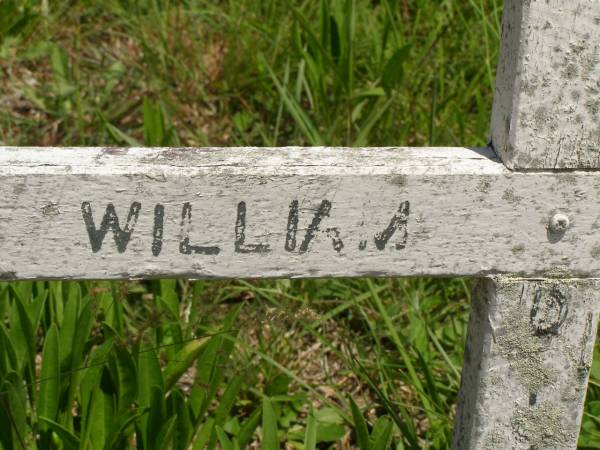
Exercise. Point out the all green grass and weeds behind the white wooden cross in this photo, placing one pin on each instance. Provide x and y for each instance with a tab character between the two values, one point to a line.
367	364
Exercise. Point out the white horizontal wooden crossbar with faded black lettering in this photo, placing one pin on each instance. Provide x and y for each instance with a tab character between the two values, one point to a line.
295	212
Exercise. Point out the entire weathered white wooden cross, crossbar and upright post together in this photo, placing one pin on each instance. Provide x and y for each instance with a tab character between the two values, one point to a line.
523	217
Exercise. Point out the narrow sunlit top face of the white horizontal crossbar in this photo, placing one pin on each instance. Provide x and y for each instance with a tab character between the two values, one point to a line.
243	160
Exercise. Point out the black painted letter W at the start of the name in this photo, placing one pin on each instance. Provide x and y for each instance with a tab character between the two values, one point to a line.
110	221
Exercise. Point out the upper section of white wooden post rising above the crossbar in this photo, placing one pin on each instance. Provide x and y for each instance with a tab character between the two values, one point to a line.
547	105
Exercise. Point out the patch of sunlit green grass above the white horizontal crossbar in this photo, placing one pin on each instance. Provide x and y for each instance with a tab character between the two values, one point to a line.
335	72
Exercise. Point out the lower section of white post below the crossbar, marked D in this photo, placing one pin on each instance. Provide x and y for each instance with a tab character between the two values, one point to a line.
527	364
